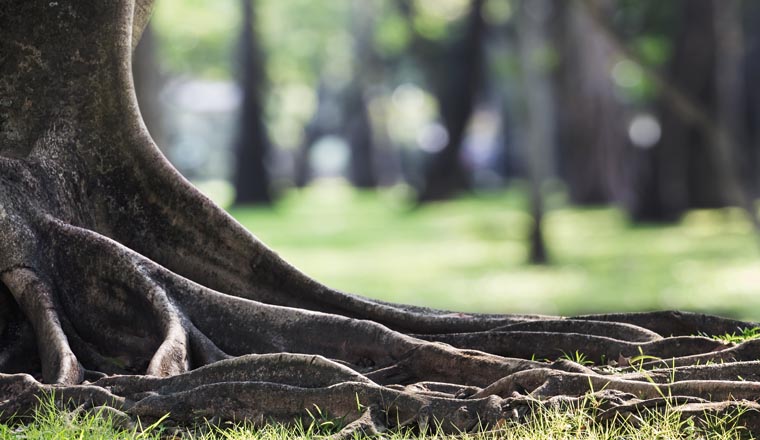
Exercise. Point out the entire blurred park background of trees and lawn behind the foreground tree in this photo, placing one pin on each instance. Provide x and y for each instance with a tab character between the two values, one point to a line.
539	156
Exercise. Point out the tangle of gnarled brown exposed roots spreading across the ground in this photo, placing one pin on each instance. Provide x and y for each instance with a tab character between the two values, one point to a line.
160	343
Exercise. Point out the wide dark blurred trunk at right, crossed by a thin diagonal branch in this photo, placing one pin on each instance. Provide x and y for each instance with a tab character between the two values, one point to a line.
679	172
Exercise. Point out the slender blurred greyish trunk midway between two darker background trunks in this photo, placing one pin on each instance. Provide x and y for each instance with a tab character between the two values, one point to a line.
357	124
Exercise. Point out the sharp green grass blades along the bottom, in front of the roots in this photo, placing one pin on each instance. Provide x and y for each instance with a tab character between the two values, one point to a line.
576	421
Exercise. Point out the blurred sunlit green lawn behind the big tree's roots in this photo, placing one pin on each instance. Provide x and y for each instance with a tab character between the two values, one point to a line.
470	254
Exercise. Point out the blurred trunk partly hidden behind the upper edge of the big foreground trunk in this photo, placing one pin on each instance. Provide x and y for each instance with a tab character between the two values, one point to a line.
148	83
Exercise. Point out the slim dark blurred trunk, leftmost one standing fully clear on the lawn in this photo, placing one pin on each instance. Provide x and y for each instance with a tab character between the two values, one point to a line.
252	183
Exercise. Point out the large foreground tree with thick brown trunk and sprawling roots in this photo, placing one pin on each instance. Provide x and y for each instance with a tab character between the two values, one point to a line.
122	286
